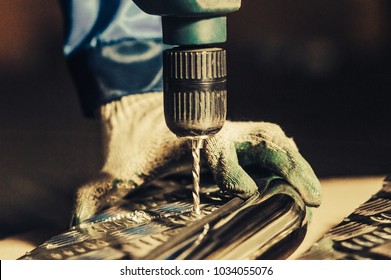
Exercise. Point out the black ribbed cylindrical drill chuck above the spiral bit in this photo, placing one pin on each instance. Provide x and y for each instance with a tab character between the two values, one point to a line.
195	90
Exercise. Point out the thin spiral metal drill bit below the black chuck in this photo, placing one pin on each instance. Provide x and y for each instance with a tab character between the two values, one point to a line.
196	145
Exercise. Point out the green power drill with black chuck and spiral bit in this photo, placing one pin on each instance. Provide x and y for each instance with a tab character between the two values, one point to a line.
194	71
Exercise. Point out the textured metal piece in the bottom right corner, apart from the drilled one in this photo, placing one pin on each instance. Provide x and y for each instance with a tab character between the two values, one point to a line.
365	234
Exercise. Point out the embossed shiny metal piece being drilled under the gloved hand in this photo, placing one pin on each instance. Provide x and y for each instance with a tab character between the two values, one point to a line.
159	223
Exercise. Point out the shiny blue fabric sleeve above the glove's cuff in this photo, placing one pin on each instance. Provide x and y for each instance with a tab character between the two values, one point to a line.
113	49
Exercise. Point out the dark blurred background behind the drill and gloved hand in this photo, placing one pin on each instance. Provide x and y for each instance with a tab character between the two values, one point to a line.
320	69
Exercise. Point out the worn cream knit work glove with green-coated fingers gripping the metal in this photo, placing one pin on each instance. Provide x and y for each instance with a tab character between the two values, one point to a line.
140	148
